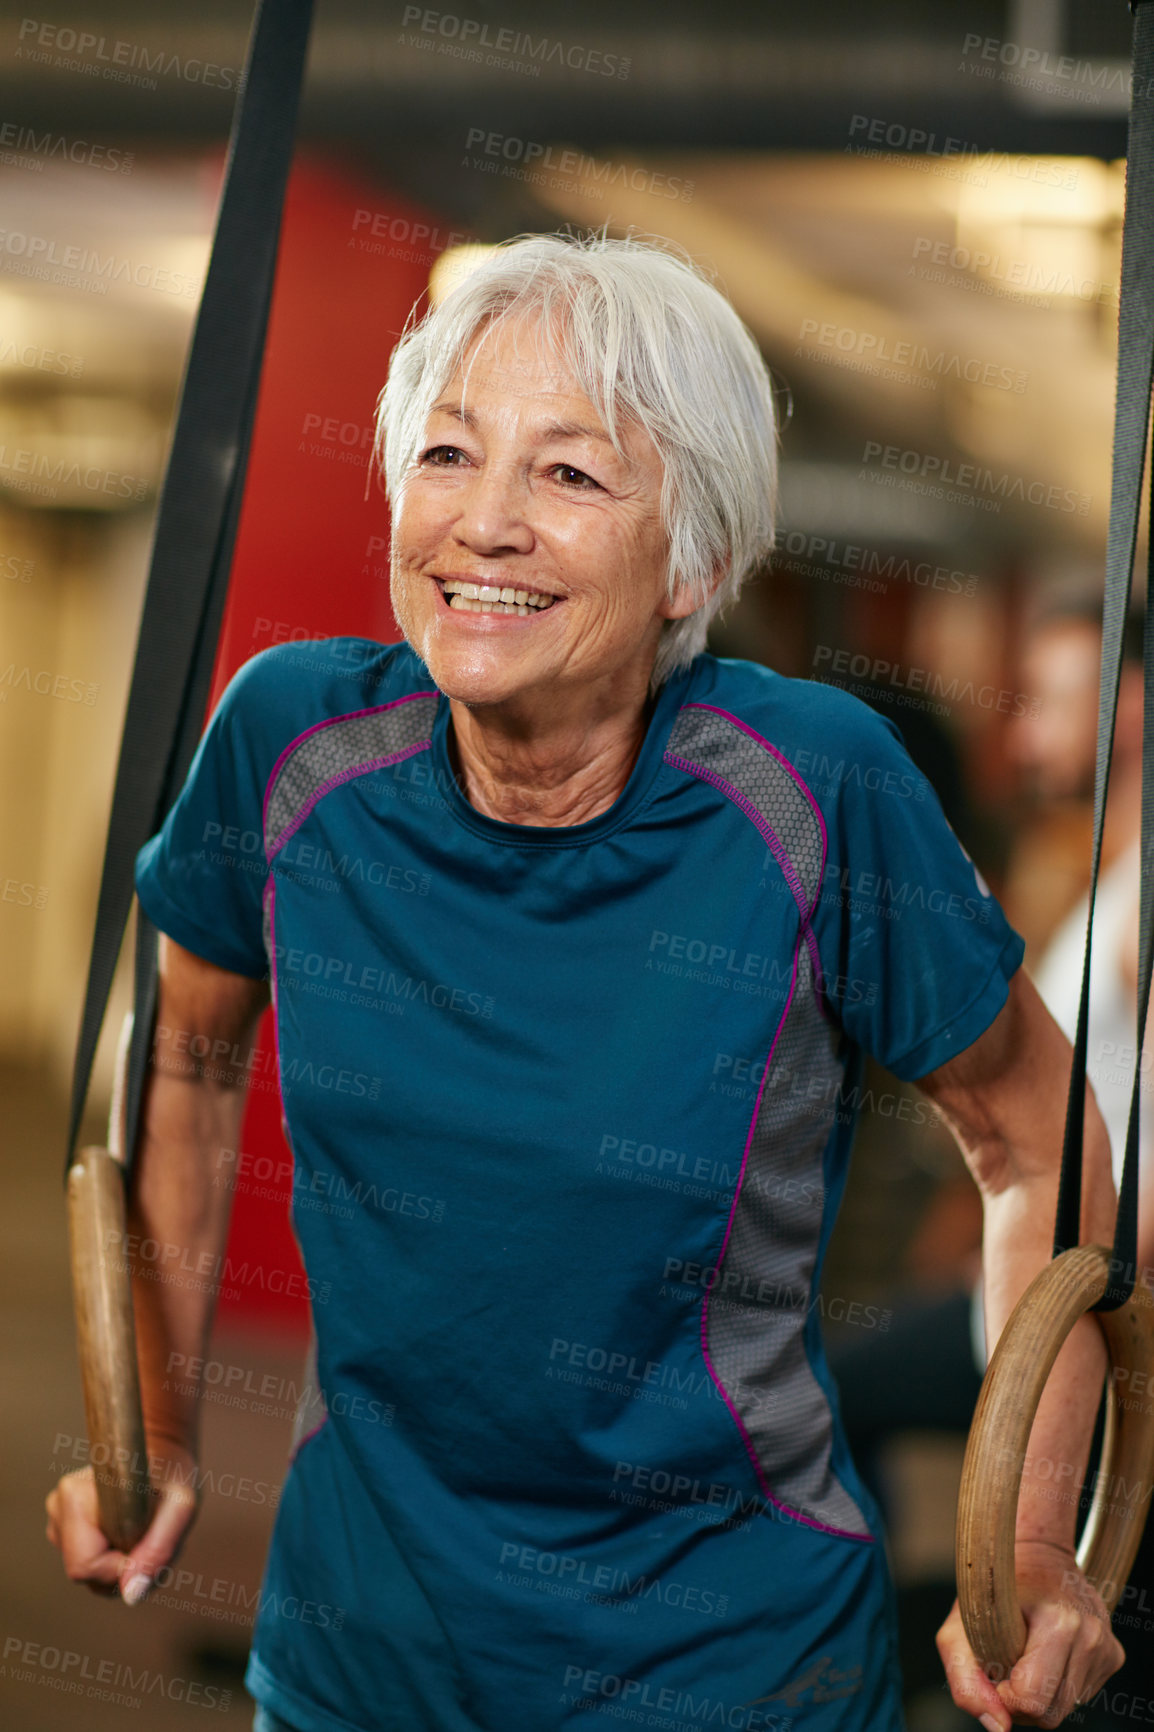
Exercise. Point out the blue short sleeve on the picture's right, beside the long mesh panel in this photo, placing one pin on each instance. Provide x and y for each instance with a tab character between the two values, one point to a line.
916	952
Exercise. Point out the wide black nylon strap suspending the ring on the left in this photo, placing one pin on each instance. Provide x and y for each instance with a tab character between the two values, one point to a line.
197	522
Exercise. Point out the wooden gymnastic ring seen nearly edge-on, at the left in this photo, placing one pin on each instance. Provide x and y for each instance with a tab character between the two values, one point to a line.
108	1345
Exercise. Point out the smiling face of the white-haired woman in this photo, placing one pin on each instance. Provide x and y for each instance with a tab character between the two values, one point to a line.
528	555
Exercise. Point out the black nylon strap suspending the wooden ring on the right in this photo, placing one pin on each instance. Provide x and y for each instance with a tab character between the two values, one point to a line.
1132	411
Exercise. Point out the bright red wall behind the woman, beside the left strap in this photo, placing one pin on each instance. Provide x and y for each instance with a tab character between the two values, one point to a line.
313	559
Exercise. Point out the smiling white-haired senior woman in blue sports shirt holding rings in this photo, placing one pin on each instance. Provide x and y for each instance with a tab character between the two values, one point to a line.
574	967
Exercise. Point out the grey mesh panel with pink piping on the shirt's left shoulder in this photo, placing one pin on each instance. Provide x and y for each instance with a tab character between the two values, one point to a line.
332	753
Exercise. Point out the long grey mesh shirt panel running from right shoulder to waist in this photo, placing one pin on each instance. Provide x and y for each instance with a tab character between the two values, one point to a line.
756	1314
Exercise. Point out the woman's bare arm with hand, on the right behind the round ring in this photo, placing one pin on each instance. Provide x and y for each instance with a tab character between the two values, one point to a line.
1006	1101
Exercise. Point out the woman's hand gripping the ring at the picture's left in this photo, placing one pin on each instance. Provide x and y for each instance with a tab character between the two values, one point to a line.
75	1527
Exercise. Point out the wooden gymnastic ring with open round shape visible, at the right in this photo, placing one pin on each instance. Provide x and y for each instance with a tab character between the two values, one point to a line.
995	1454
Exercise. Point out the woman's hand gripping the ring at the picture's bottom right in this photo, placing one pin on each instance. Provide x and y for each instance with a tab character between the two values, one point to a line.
1070	1648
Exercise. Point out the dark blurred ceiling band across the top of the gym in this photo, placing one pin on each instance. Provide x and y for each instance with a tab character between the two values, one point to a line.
401	81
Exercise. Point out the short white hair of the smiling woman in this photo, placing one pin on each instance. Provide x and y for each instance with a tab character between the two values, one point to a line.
649	339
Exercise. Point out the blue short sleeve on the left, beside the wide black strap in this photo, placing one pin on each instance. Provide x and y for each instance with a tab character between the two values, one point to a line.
202	877
